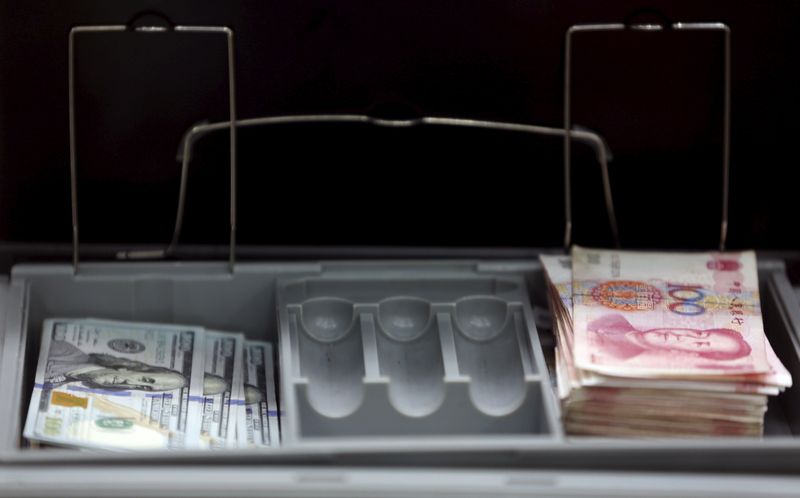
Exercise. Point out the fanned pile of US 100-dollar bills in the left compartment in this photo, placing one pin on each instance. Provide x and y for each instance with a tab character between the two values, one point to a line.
140	386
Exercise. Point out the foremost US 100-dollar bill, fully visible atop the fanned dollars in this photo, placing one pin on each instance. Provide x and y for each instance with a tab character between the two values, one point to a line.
117	385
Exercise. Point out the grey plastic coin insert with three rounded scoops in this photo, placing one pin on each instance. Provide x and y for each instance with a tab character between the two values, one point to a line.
425	353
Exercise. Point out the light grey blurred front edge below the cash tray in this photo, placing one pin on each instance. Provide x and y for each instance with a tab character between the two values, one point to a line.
244	481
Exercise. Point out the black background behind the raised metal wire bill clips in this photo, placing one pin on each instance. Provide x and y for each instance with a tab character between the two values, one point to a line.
656	98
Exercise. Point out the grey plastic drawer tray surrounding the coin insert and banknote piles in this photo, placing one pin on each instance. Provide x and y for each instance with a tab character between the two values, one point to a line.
246	299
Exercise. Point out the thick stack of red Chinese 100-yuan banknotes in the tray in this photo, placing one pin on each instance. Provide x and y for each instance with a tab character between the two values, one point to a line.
661	345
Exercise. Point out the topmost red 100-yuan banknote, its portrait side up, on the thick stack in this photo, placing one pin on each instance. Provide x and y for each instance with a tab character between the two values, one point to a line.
692	314
